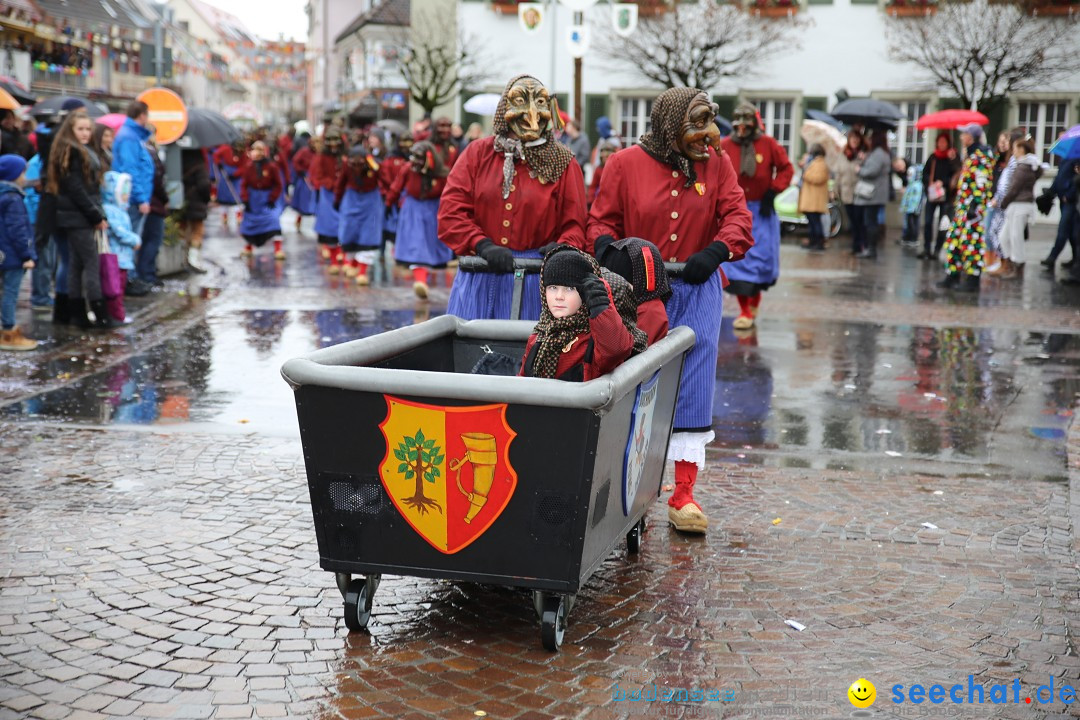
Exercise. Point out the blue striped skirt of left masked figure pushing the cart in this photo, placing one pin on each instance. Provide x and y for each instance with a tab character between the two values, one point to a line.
489	295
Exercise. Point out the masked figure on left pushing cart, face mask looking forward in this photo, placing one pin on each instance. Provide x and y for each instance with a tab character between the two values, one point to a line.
512	196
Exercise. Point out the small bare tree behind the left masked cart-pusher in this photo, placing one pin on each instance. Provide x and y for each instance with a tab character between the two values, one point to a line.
436	67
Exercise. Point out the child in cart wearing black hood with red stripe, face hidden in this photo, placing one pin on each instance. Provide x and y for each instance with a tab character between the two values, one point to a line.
640	263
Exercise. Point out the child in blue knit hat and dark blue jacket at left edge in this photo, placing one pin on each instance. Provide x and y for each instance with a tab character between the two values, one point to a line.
17	250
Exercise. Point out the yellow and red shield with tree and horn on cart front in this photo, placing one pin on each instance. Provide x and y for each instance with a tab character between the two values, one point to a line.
448	469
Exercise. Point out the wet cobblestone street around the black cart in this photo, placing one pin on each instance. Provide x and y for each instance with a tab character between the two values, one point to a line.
897	472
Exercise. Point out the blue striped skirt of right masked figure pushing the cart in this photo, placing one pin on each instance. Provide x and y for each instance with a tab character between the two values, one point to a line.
700	308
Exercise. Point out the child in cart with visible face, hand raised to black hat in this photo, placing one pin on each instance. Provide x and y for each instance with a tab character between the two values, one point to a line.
582	335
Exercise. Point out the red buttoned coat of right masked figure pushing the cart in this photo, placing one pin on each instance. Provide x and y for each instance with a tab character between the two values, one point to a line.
644	198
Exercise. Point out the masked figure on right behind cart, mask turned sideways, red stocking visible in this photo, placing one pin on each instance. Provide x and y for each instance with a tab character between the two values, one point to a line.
674	191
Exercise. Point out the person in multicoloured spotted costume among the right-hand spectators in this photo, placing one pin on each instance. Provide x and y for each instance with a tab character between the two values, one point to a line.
966	243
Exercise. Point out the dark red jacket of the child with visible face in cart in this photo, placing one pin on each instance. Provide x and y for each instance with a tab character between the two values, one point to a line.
603	349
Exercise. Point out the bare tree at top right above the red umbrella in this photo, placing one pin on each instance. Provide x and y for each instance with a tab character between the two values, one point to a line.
984	51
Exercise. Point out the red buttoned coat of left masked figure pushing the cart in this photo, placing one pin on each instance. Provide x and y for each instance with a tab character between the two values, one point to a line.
534	215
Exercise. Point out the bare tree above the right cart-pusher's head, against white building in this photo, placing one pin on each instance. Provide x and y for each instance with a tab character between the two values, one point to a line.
698	45
